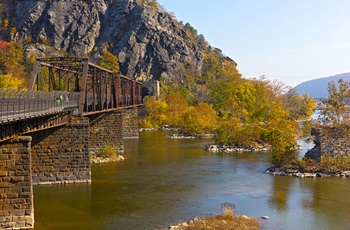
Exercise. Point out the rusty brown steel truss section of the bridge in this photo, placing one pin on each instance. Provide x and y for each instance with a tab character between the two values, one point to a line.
100	89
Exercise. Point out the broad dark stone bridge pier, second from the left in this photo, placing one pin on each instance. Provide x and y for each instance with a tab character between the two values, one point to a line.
61	155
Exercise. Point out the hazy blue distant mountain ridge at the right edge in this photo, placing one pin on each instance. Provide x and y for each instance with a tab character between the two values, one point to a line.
317	88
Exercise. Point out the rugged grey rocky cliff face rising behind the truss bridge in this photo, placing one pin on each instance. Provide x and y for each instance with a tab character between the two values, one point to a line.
148	42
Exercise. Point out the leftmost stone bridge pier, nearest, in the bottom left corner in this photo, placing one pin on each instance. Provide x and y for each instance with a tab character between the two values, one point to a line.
16	193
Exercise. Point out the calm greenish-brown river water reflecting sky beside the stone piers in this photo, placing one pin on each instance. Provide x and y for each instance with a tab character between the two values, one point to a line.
165	181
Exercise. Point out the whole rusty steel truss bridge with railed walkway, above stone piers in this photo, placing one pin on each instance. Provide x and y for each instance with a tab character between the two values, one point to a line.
62	86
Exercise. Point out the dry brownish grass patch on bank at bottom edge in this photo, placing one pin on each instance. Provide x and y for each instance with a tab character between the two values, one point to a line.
228	220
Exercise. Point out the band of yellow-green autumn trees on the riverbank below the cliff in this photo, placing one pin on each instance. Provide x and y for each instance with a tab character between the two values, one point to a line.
240	111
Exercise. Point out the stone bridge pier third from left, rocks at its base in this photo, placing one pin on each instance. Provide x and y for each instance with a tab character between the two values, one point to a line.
106	129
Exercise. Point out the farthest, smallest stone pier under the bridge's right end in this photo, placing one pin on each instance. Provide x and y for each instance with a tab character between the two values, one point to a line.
130	123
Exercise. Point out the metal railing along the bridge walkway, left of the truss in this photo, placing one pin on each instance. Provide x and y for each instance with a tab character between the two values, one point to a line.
20	104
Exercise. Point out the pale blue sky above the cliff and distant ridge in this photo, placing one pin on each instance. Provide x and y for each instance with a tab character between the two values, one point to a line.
289	40
